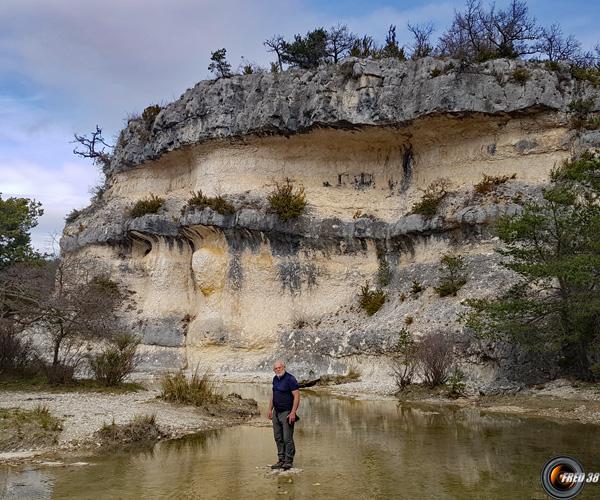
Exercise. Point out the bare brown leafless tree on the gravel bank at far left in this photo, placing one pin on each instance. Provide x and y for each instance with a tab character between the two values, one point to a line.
64	301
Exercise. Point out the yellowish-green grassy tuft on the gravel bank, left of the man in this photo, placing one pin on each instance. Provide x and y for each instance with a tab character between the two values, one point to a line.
198	391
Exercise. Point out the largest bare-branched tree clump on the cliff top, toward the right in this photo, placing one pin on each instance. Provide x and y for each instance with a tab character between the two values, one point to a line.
478	34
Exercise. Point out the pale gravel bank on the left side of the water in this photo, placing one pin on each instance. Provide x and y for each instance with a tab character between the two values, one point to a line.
83	414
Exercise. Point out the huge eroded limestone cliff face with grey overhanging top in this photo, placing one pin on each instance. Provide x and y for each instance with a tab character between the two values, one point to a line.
363	138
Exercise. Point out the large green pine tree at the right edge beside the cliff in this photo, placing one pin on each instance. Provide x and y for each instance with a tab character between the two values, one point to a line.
554	247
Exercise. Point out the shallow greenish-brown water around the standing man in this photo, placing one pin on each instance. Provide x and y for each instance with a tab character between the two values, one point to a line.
345	448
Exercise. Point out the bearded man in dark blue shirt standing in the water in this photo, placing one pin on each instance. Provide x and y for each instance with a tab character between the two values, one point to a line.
282	412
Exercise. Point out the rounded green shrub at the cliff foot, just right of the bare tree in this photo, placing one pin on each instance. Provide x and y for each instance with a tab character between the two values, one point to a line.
116	361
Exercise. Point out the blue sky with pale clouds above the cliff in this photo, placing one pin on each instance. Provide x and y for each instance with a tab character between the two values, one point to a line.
69	65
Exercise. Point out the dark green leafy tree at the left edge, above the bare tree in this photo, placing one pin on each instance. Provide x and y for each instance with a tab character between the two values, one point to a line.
17	217
